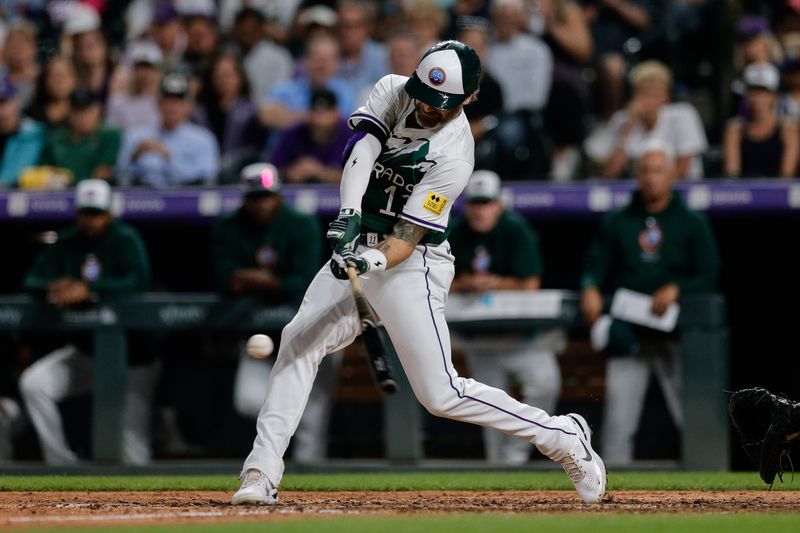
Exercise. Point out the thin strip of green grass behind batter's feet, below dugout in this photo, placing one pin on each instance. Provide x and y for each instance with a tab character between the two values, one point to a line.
406	481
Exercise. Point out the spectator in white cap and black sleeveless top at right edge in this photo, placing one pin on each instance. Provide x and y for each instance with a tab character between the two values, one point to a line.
761	144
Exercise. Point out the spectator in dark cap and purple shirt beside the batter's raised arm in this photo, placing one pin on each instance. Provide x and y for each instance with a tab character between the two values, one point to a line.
311	152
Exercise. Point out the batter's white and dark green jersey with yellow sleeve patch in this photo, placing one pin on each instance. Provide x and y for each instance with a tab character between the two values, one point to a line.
420	172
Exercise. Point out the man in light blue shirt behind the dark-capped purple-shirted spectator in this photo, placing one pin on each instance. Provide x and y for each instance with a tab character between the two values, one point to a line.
287	103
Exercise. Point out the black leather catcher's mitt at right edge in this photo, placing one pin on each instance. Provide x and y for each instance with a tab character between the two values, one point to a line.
767	425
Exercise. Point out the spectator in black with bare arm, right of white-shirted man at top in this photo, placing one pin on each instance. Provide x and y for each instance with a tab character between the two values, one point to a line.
567	33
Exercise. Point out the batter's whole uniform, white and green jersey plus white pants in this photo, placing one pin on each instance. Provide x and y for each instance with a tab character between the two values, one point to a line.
417	177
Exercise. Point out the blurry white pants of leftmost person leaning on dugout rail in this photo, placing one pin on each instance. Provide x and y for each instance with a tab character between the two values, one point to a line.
67	372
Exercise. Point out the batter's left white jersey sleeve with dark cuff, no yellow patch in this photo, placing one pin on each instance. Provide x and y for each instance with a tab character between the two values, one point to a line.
379	114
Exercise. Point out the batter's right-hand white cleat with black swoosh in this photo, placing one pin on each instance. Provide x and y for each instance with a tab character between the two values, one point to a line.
583	466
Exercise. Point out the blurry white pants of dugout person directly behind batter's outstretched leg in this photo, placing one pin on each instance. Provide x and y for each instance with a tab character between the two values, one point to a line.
531	362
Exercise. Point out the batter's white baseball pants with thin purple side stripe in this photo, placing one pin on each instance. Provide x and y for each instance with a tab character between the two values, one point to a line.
410	299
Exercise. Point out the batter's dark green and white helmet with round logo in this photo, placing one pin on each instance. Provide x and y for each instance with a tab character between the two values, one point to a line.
447	75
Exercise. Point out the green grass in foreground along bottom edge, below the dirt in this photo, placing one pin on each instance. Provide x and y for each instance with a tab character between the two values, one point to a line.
571	523
